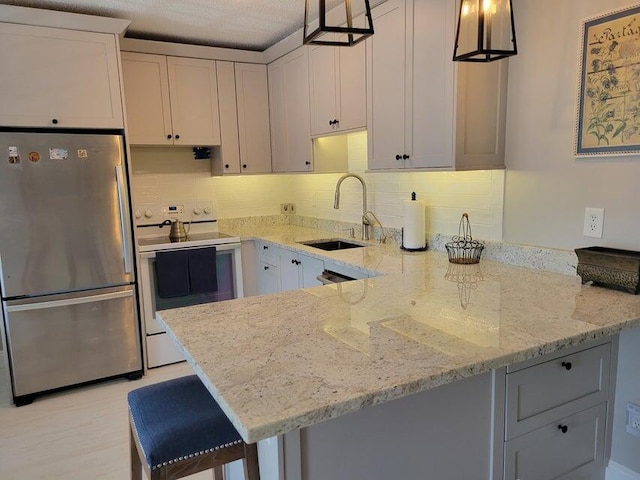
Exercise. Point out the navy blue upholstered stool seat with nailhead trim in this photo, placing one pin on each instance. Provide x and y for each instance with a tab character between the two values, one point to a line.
178	419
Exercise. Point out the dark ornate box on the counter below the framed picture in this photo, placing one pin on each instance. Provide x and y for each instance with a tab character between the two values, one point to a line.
610	267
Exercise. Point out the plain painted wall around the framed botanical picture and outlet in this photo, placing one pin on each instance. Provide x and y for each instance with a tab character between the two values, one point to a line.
546	188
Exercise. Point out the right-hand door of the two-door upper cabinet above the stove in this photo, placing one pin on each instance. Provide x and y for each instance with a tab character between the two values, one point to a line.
193	91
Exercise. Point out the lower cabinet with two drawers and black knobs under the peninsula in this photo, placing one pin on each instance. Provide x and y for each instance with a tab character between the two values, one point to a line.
556	413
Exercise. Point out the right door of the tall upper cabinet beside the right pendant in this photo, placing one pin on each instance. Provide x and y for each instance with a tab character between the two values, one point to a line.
432	84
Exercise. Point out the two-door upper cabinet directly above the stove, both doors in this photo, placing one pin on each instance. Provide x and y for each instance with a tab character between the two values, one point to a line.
171	100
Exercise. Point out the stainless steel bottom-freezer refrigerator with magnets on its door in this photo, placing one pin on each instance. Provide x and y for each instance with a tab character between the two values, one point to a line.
69	299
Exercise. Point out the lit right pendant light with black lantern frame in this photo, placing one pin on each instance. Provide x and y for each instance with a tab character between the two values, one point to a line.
486	31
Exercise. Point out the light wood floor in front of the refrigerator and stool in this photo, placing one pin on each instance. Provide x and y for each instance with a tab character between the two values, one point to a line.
79	434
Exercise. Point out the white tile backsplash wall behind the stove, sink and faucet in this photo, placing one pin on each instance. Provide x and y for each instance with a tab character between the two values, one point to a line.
168	175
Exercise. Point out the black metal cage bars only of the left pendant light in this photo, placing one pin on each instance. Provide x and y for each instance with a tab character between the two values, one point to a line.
343	33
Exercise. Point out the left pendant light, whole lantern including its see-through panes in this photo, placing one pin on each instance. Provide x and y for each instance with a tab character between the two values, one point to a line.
345	25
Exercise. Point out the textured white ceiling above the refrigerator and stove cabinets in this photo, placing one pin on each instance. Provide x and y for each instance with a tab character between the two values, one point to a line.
245	24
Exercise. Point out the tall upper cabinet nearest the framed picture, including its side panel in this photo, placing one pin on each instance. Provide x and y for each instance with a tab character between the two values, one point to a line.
425	111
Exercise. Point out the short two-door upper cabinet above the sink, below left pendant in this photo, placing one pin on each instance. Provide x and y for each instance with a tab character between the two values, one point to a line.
337	78
